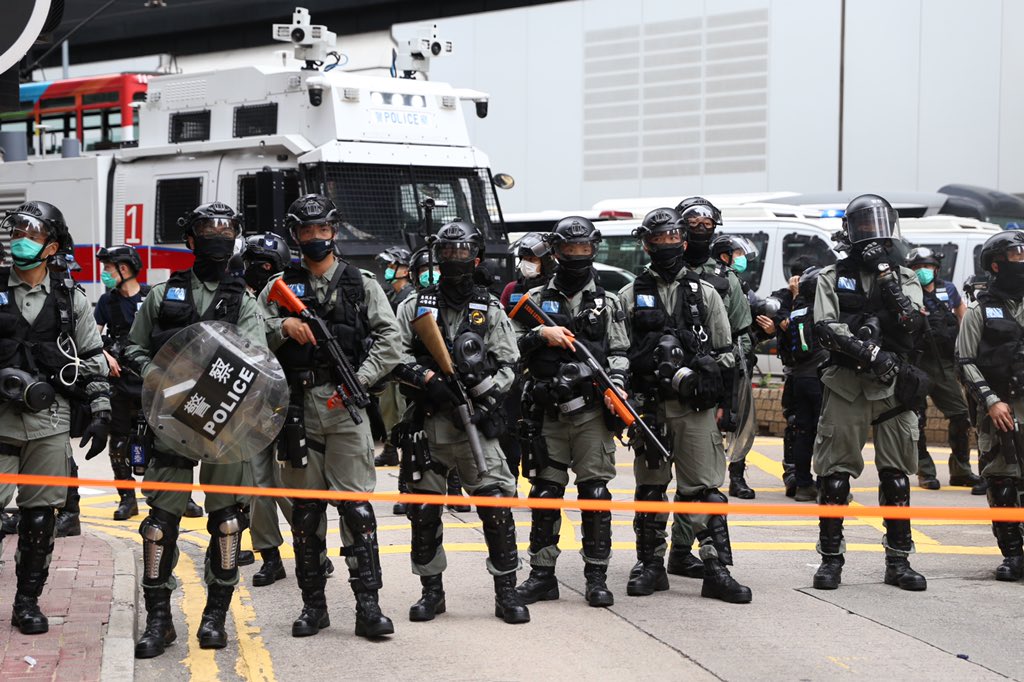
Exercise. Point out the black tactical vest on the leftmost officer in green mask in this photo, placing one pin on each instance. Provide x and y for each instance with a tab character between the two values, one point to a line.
34	348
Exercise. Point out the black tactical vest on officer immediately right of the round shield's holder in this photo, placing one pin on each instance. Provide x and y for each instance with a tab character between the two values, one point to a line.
345	310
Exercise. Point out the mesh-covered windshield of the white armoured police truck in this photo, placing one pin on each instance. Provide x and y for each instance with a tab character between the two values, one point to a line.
382	203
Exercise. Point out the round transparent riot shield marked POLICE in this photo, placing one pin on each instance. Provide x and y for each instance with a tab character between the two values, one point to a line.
214	396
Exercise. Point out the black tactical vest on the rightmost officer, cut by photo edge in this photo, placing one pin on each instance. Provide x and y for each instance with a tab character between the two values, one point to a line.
1001	342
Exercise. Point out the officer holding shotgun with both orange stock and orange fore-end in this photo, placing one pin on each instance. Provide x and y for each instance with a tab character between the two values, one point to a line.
576	432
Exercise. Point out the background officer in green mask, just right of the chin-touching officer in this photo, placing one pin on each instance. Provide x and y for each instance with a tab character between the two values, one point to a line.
946	310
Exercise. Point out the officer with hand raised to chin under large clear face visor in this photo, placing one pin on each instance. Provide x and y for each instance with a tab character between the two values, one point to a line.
868	315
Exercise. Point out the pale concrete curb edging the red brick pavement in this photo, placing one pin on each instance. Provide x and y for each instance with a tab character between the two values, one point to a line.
118	663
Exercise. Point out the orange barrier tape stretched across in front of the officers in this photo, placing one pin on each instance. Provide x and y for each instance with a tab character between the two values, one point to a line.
1015	515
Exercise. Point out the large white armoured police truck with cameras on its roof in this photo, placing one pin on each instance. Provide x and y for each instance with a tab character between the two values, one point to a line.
258	138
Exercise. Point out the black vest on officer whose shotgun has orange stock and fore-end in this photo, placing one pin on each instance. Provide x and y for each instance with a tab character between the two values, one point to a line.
588	327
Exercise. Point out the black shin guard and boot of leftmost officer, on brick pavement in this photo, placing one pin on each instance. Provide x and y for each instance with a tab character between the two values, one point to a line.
35	544
